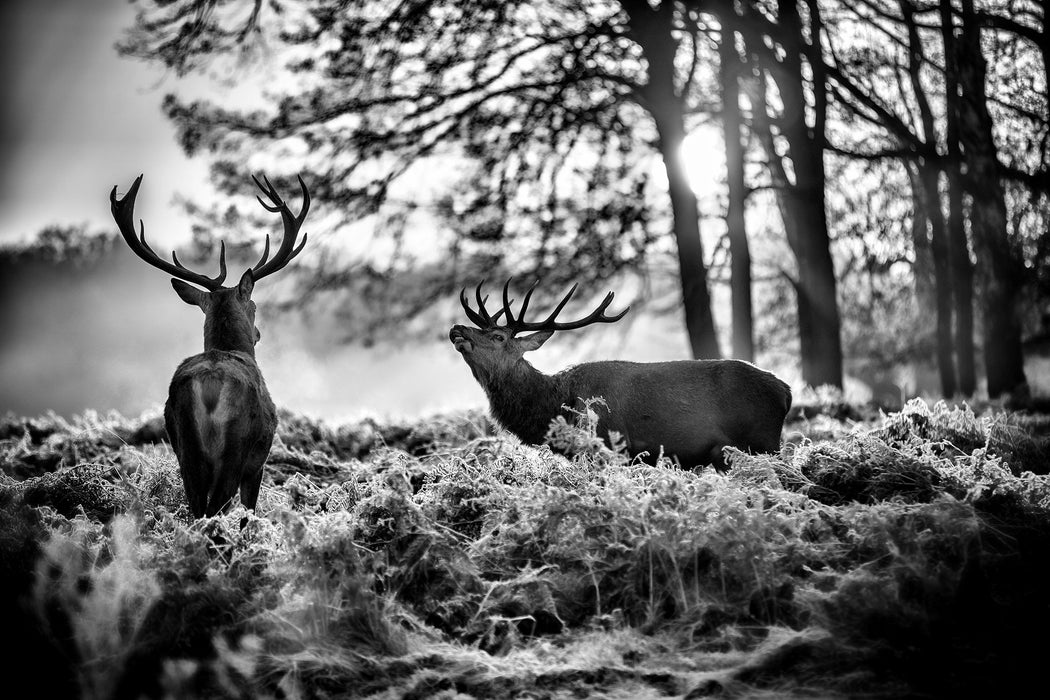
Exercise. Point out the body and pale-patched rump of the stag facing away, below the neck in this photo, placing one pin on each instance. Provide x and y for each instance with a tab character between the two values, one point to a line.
221	422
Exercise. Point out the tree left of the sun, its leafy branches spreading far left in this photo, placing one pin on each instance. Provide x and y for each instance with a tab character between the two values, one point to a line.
529	93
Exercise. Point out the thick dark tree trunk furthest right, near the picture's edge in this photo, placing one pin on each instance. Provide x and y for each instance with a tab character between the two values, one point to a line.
1000	270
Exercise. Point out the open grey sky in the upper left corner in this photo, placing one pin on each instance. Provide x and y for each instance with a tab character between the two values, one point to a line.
77	120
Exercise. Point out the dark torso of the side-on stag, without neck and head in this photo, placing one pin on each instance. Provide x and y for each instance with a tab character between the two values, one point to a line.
689	409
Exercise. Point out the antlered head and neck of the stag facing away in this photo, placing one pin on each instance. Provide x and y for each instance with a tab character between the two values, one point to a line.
229	312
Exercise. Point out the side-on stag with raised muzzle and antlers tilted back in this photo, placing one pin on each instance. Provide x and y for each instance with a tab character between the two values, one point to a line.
689	410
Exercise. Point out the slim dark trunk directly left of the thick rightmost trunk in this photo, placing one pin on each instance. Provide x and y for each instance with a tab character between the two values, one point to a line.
962	268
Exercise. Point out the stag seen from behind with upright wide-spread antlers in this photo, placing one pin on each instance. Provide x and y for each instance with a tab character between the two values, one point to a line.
220	418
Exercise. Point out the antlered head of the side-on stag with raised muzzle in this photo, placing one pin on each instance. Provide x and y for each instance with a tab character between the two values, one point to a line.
493	350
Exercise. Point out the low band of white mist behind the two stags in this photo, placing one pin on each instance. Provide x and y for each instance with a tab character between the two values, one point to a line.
109	335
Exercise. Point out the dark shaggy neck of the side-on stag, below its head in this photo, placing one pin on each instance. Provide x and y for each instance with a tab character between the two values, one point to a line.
524	400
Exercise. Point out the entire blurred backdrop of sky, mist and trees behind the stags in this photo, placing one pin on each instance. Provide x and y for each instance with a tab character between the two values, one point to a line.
850	195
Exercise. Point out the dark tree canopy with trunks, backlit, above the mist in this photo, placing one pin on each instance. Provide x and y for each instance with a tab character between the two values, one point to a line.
556	131
